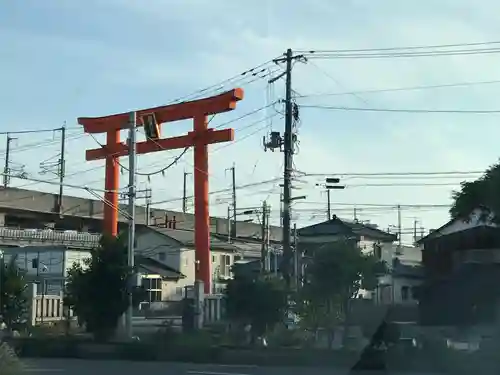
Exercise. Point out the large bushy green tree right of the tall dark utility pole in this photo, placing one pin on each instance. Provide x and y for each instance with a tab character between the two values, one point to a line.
335	274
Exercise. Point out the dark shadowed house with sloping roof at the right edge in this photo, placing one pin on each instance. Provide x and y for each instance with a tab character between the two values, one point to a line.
461	261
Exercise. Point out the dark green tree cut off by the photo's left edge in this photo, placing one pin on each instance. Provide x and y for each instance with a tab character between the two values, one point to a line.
13	296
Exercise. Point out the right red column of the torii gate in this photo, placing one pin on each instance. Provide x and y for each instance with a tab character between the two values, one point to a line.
201	209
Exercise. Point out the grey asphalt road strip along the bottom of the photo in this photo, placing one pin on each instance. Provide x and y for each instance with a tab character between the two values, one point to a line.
86	367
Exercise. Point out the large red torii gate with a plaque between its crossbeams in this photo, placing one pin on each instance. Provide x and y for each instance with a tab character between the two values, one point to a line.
200	138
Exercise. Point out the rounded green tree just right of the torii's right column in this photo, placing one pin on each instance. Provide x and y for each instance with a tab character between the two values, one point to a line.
260	301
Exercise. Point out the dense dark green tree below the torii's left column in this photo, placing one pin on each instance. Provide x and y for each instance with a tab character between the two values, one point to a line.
97	291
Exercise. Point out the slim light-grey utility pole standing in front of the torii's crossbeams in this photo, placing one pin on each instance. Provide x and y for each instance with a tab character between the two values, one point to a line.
131	221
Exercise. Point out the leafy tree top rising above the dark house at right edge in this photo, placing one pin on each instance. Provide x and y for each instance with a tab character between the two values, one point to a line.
482	194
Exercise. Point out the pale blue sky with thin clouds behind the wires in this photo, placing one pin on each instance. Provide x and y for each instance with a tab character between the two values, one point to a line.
65	59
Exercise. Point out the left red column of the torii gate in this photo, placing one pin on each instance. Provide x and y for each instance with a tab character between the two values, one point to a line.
111	184
